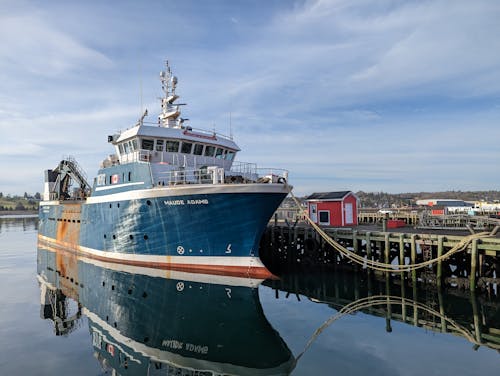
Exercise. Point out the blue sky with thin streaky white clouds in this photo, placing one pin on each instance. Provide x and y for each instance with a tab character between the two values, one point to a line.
392	96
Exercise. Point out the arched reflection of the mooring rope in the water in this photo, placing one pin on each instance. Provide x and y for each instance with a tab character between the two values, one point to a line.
393	300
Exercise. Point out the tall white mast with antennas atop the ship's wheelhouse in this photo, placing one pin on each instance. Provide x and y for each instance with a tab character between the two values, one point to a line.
170	112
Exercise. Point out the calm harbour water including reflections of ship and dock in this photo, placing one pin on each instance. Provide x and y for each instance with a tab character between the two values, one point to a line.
62	315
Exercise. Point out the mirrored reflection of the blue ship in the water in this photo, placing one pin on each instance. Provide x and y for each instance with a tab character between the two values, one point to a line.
147	321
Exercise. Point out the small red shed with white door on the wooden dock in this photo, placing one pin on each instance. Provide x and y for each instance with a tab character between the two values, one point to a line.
335	209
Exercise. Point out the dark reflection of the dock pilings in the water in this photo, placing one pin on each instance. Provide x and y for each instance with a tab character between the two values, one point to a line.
475	318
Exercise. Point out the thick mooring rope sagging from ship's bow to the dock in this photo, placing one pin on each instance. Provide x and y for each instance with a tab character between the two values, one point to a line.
384	267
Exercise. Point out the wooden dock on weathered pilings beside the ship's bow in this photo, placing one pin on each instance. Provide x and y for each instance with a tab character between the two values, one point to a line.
298	246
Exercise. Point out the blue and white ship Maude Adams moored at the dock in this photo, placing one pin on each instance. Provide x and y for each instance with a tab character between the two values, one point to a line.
170	196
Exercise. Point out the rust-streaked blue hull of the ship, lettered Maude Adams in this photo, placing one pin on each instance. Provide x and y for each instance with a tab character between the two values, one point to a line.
204	229
